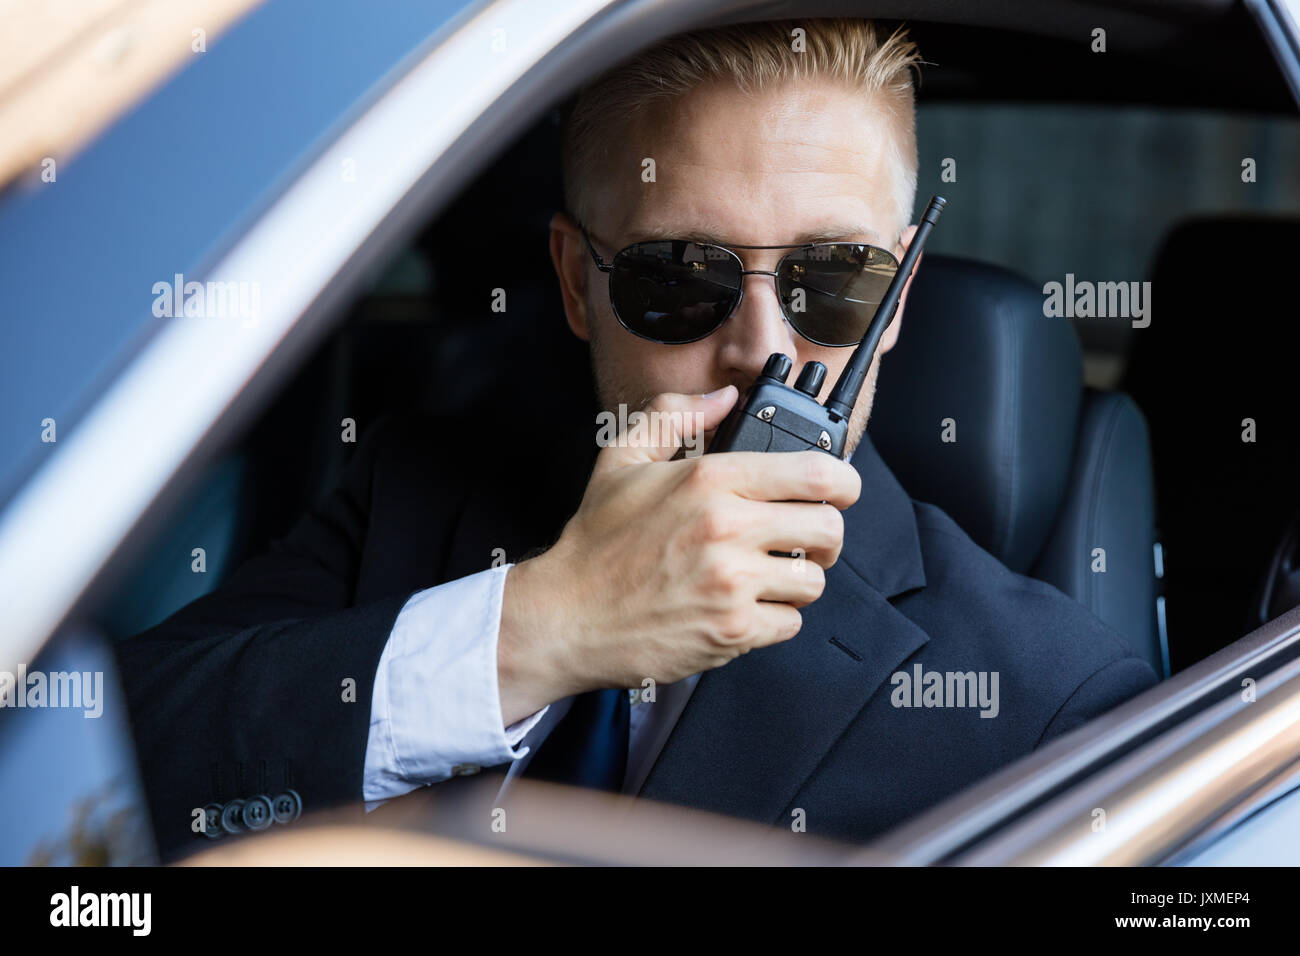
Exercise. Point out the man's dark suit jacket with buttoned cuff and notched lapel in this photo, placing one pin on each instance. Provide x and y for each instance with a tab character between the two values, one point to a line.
246	691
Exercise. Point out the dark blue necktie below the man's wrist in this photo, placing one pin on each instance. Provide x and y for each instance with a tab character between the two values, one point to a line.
590	746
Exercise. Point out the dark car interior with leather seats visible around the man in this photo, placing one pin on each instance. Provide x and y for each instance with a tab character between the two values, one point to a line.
1073	438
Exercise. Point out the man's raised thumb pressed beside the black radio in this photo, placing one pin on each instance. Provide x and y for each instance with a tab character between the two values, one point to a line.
669	423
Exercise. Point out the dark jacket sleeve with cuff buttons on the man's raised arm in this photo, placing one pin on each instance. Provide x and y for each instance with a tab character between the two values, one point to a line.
266	684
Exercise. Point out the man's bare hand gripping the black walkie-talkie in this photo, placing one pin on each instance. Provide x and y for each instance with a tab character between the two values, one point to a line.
666	570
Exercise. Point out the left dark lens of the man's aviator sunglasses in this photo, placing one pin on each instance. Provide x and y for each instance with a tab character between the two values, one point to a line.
674	292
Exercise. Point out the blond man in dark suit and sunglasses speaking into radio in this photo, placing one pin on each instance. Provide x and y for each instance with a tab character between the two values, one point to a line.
372	654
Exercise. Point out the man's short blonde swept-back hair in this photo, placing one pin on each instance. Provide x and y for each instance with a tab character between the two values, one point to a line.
753	57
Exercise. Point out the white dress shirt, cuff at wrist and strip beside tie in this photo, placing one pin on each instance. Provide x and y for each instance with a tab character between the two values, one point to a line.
436	707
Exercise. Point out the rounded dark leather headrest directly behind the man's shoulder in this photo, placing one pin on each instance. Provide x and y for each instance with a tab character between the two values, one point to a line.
978	404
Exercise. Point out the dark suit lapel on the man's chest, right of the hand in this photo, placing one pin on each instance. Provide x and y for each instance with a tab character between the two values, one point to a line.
755	730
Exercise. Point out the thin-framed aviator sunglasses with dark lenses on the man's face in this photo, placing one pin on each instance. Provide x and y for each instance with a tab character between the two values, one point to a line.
674	292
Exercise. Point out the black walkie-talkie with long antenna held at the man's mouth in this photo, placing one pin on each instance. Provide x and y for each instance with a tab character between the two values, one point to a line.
773	417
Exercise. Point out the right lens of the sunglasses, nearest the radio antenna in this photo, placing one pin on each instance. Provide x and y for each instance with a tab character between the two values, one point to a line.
831	292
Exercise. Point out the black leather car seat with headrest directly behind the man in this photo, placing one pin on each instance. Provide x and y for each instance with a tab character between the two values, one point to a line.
981	409
